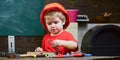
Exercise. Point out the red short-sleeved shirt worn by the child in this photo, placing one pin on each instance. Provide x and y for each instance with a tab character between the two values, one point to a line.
62	36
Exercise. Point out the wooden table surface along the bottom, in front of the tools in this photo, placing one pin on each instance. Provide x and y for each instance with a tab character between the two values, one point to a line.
70	58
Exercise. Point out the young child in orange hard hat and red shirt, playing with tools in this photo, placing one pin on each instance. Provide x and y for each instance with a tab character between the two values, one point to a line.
55	20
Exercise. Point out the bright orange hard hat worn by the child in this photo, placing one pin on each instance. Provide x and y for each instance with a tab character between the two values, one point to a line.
54	7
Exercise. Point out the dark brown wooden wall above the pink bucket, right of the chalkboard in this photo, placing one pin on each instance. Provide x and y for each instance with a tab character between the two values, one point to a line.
94	8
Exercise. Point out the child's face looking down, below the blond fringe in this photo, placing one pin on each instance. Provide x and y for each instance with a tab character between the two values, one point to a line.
54	25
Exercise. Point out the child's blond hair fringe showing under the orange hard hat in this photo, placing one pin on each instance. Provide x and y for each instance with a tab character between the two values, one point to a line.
54	14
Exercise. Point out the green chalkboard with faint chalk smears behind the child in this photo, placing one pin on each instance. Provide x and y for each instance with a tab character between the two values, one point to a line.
21	17
